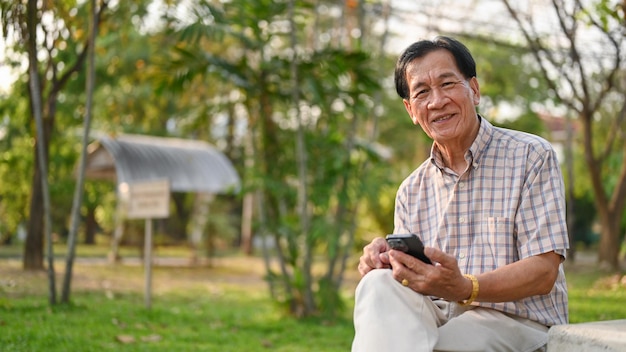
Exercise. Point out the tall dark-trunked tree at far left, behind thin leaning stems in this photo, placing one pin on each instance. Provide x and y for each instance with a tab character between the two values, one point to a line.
57	34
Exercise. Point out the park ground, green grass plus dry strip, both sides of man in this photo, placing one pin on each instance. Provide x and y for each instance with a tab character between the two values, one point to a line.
223	307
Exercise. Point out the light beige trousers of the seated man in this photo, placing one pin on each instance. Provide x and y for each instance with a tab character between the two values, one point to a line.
391	317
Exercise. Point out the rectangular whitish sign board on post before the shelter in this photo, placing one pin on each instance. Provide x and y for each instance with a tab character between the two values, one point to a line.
146	199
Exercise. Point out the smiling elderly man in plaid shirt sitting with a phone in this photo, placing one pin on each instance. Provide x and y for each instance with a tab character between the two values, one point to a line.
489	207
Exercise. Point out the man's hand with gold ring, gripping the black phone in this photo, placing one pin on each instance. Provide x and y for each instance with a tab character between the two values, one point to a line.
443	279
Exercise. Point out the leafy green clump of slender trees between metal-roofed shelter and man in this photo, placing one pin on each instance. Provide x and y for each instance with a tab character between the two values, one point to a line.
307	109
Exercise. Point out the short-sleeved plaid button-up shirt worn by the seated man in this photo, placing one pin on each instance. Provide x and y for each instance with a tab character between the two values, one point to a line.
509	204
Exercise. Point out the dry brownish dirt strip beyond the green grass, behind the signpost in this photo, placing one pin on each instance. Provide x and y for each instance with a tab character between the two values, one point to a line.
168	274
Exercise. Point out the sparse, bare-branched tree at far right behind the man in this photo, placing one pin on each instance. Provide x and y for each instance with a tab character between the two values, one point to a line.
587	76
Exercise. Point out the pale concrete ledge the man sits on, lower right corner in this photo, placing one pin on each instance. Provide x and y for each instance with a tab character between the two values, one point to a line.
603	336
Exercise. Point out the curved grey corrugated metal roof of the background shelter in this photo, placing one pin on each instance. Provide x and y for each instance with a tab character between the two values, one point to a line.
189	165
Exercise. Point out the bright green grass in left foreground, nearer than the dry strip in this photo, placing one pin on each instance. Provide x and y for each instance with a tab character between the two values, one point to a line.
189	321
